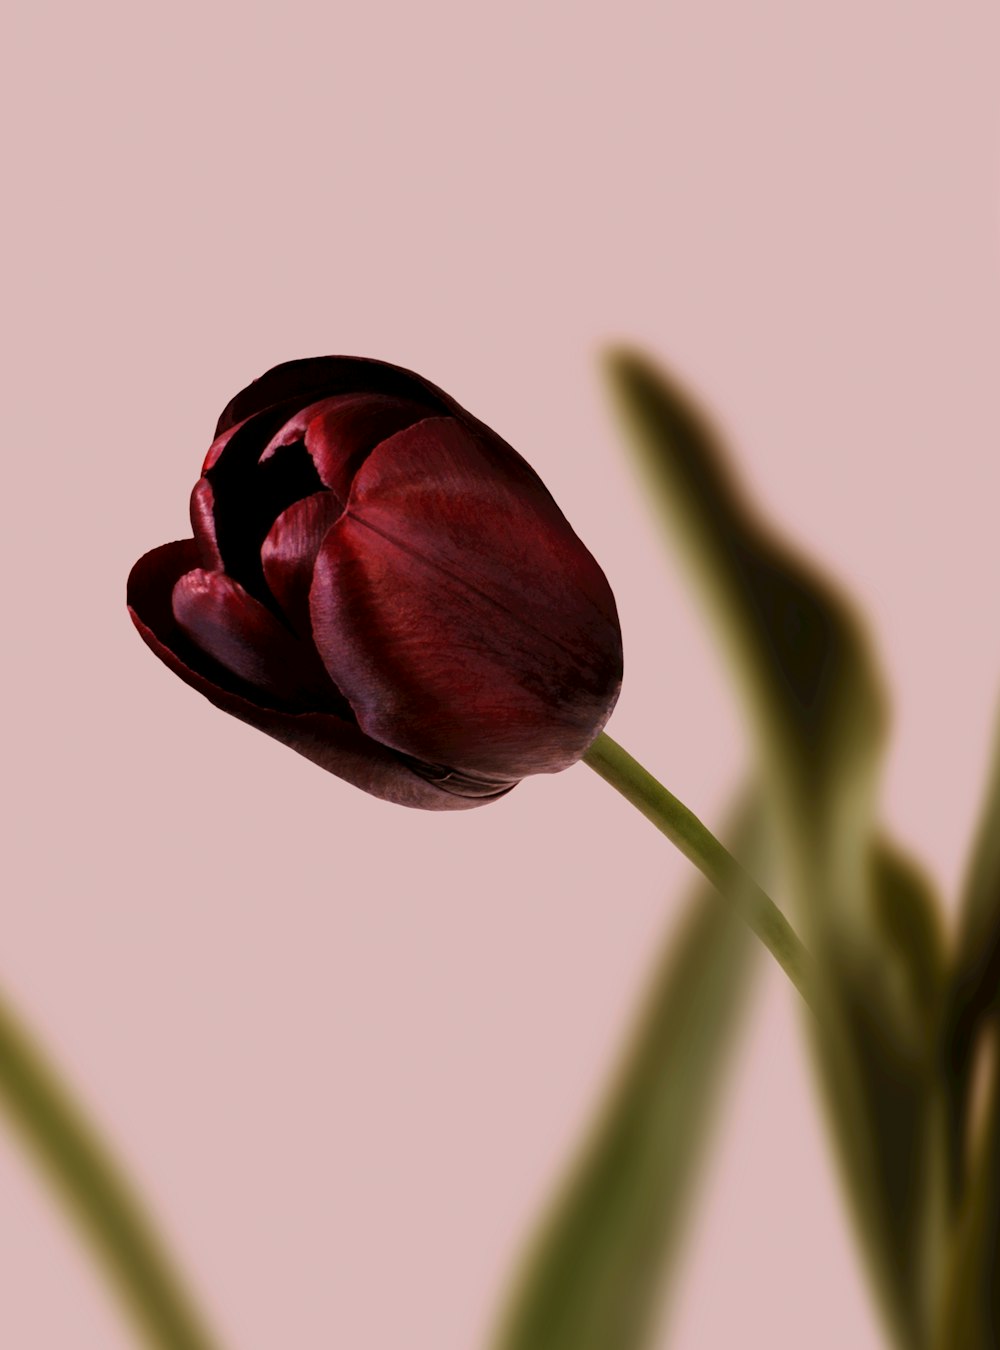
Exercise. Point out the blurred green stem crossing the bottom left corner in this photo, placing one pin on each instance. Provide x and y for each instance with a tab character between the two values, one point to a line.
96	1194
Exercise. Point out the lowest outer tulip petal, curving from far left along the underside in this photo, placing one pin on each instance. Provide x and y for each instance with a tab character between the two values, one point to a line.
337	746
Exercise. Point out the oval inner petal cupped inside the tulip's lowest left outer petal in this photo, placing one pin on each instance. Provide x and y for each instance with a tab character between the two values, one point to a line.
238	632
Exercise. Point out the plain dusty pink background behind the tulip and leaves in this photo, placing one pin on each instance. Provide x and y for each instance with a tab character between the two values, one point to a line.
345	1048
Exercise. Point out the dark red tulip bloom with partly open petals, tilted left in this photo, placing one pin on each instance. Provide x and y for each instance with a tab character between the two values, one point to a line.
383	584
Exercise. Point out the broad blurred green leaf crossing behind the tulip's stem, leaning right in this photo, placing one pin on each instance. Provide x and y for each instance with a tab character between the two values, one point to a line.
601	1266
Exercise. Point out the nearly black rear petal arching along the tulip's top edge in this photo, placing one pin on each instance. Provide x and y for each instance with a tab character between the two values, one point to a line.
321	377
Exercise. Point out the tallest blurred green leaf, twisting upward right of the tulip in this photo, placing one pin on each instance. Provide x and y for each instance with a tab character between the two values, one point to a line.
818	711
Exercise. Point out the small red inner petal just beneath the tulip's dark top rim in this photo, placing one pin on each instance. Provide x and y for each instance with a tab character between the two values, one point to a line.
342	433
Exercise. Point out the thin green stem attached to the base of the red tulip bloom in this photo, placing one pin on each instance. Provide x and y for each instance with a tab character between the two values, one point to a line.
698	844
